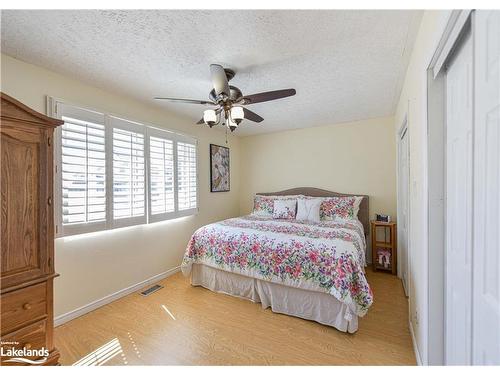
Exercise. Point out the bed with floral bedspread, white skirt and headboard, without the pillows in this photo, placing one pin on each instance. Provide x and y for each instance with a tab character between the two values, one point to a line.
314	271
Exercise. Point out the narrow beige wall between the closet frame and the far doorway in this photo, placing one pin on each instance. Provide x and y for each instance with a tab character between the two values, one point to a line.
413	103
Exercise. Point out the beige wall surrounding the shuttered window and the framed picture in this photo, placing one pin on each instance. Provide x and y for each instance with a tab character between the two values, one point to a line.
95	265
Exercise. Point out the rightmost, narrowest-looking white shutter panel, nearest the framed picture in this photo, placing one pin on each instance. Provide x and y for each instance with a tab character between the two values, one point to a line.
186	176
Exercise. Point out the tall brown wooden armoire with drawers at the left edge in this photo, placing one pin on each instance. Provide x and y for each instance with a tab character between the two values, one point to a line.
27	236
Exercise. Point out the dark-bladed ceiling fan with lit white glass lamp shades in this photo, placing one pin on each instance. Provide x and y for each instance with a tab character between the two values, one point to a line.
229	100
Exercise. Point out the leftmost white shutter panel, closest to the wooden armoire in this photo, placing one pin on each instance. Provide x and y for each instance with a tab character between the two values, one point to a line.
82	170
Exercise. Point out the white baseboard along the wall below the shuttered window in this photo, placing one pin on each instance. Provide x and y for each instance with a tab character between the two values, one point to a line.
66	317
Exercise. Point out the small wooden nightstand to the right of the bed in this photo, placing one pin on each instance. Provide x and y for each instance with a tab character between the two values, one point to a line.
384	246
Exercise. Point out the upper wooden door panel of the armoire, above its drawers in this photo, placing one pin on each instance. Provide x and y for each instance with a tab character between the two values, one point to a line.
24	200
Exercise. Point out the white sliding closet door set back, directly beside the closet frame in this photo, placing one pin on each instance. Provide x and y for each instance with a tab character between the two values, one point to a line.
459	102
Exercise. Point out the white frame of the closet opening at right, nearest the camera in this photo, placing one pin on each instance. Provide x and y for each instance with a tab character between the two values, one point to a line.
436	183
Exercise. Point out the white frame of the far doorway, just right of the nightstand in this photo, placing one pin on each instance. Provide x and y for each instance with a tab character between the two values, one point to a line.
404	128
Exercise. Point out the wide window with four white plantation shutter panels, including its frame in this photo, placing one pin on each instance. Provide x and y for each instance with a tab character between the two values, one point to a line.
111	172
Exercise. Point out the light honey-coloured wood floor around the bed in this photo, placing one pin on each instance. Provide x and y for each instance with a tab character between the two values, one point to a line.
185	325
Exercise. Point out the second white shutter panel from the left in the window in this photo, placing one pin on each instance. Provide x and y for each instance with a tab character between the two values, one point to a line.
129	173
